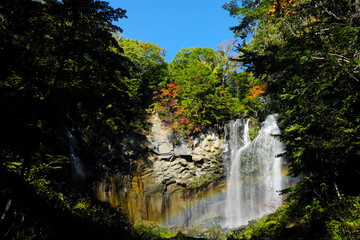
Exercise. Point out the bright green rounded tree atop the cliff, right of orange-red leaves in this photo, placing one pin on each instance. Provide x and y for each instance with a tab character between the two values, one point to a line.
203	92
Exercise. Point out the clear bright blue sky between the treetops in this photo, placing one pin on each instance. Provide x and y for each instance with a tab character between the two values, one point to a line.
176	24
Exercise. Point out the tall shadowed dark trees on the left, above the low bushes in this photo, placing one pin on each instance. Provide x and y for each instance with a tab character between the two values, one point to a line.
62	72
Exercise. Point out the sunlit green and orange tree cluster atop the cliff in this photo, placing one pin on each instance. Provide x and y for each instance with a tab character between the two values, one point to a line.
209	90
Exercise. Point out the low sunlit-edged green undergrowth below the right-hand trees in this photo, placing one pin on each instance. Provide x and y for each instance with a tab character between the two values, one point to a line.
338	219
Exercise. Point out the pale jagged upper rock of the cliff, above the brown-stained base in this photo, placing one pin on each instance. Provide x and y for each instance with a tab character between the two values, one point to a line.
187	163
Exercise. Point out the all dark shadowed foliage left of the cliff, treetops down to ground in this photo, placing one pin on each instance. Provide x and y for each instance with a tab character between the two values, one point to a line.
64	71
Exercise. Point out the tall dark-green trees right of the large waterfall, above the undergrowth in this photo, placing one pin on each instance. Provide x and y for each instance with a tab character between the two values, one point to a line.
308	52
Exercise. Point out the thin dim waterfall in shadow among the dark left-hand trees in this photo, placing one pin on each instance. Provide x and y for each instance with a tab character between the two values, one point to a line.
77	167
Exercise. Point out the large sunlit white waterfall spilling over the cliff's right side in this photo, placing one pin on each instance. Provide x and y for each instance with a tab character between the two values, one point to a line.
254	172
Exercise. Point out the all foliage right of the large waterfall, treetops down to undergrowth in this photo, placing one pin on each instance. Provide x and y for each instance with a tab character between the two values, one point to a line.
307	54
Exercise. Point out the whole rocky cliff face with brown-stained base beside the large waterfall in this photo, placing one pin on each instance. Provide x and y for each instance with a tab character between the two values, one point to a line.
174	185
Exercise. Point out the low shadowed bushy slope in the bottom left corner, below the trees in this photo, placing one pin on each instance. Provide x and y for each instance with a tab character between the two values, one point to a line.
36	209
